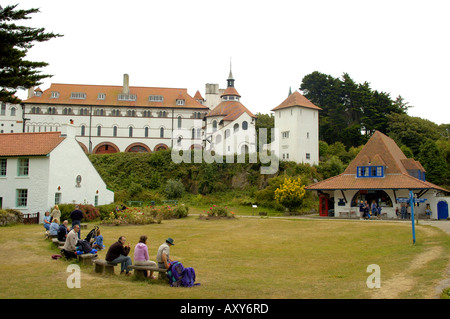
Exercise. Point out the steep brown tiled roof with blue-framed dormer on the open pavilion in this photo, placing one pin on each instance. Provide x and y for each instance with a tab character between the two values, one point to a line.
379	150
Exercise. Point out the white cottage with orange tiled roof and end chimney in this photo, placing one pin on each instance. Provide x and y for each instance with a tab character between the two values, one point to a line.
39	170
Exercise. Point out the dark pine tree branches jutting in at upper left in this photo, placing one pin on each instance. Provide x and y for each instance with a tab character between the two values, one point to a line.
15	41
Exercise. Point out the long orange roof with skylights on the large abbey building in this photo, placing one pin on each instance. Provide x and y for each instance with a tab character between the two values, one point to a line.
111	96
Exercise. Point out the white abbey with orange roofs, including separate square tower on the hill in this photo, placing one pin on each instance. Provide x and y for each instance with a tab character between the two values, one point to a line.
109	119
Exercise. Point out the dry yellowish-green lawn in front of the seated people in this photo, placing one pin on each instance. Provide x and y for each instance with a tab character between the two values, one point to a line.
243	258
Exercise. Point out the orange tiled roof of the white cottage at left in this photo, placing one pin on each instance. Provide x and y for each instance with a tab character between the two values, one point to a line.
29	144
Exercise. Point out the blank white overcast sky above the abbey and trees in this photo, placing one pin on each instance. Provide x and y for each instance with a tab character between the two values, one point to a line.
399	47
